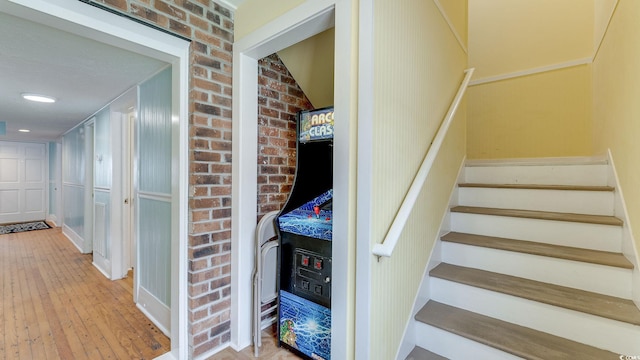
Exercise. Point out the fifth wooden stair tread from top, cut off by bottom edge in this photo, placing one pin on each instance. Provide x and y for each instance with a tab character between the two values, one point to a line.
514	339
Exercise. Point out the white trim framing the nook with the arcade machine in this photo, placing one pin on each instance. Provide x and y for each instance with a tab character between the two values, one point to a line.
302	22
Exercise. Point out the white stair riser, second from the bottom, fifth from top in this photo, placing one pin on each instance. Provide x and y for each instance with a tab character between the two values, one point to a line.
600	332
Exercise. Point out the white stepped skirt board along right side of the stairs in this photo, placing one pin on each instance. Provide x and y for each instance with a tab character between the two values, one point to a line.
629	248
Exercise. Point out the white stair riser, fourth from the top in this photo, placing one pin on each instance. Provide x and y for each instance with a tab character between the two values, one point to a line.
602	279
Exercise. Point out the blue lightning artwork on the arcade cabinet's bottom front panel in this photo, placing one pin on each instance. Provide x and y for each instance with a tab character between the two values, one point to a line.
305	326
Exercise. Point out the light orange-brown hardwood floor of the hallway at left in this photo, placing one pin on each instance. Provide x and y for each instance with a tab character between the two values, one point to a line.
57	305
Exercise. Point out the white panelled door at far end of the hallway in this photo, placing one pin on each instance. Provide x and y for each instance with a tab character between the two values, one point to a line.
22	182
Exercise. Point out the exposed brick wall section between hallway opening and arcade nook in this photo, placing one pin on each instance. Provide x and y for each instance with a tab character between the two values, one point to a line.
210	27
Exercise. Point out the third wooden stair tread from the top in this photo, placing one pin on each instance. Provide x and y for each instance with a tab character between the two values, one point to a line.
542	249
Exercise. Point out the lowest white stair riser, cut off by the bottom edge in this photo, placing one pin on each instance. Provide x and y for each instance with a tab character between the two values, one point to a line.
453	346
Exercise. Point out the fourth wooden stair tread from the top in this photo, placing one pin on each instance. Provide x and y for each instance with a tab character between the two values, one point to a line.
574	299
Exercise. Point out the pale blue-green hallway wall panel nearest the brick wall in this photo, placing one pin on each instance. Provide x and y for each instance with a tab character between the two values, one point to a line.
153	200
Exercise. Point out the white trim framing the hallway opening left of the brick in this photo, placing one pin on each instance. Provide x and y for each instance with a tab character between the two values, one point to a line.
79	18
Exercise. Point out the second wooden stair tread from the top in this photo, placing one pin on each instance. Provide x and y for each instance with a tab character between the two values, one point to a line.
541	215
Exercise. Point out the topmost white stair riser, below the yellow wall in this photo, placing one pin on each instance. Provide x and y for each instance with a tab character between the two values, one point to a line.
589	175
